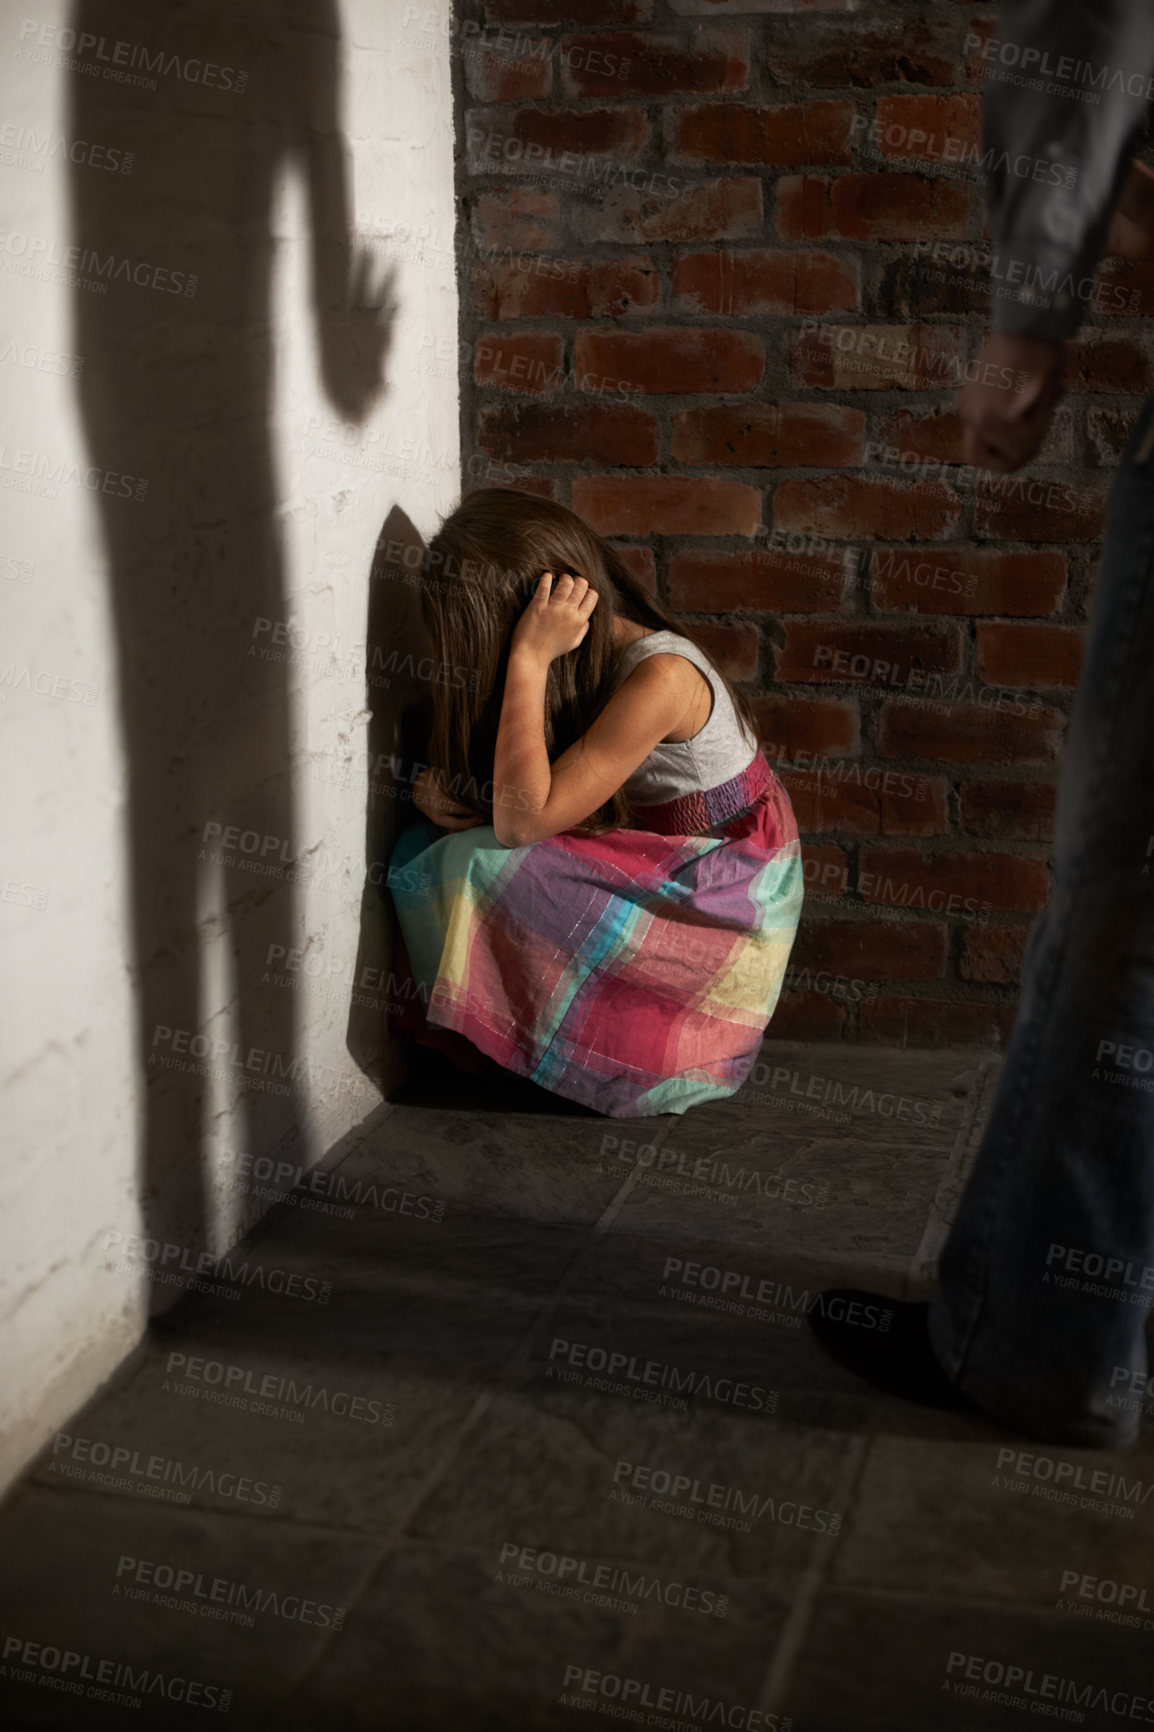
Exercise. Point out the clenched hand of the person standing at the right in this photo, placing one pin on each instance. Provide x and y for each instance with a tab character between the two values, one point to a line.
1006	411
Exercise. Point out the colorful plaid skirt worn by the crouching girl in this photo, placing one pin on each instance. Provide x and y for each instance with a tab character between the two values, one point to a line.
635	971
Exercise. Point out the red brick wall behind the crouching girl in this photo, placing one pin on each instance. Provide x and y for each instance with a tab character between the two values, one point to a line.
722	273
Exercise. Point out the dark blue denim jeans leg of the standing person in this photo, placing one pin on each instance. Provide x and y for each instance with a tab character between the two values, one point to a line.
1049	1269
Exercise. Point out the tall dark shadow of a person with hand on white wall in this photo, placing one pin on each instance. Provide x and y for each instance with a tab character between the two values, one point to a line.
200	110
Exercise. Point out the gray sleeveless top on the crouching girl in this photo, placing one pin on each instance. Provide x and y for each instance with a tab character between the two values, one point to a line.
716	753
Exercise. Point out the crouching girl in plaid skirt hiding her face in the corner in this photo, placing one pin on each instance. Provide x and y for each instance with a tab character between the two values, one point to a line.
607	891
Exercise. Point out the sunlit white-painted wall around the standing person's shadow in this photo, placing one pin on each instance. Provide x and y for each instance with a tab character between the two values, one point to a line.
70	1063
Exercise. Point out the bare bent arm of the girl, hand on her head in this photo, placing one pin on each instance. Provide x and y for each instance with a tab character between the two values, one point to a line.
535	799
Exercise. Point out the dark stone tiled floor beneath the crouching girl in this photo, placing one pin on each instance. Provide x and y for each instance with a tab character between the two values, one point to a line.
509	1541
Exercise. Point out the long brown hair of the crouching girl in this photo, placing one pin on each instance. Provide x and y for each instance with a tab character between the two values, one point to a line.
481	572
